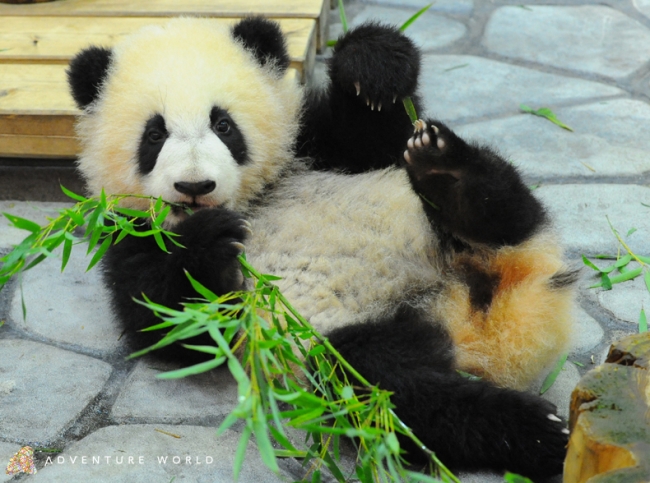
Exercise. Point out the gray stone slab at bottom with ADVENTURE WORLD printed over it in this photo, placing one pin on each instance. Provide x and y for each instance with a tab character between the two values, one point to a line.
198	455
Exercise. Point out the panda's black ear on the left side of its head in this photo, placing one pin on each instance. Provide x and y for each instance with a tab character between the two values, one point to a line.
86	73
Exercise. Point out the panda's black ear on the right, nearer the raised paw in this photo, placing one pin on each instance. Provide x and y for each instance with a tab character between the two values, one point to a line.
264	38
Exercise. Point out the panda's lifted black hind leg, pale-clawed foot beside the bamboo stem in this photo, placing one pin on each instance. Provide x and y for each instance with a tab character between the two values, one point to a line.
469	190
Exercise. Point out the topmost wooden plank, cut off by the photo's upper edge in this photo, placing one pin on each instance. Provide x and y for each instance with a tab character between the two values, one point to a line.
312	9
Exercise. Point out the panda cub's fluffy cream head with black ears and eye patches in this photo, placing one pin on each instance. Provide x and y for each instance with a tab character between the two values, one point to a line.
192	111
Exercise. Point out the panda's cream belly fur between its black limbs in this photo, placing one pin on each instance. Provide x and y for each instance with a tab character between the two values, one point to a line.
348	248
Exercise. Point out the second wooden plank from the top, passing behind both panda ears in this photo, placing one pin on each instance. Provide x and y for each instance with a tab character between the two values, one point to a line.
58	39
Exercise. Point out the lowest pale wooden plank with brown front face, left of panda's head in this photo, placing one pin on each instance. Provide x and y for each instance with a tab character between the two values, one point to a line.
37	113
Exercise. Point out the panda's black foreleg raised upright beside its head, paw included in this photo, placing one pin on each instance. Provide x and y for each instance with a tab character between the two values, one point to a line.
358	123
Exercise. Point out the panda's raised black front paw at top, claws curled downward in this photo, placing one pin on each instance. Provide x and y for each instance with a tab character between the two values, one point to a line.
377	64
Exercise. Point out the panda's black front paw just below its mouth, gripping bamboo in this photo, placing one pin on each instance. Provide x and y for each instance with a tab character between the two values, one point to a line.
213	240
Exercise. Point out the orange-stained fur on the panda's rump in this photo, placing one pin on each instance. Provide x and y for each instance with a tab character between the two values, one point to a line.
528	324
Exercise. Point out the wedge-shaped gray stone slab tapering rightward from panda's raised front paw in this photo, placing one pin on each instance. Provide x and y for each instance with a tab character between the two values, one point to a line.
458	87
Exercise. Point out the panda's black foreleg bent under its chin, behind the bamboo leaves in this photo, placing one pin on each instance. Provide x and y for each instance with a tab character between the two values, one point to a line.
212	239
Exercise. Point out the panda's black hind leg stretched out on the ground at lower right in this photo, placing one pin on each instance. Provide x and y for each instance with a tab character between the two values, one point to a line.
469	424
